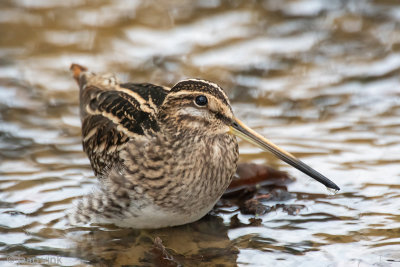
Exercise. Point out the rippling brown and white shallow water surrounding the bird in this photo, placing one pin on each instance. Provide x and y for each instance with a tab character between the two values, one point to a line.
319	78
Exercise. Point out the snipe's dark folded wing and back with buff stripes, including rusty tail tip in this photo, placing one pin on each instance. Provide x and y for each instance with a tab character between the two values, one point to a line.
112	114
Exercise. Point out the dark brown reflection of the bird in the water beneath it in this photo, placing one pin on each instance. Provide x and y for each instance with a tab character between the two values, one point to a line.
202	243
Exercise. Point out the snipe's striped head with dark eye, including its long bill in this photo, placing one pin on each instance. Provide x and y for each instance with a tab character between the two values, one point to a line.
202	108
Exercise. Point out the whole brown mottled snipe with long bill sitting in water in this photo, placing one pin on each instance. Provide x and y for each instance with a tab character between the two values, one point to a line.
163	156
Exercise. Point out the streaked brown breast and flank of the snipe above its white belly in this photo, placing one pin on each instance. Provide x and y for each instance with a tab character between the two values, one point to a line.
186	175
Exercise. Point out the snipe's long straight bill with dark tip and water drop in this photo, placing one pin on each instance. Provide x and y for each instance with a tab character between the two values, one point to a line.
239	129
